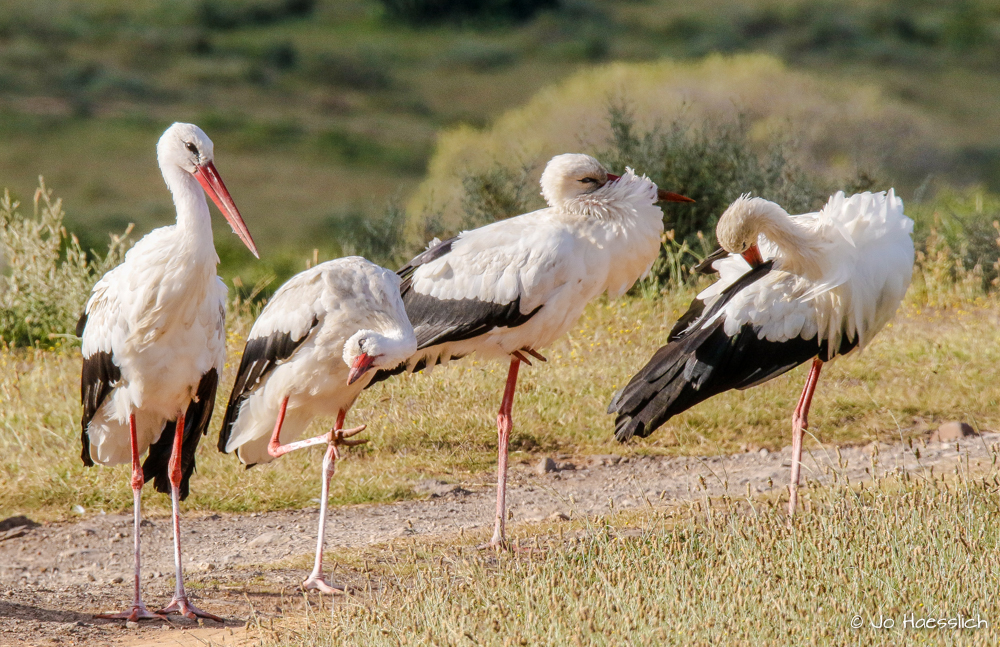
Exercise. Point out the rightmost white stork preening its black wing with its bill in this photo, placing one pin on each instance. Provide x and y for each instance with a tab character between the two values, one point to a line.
831	281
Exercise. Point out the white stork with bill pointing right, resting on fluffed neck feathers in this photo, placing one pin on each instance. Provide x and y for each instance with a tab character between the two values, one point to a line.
515	286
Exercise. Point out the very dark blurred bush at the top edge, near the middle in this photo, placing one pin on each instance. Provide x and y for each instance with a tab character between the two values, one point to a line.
436	11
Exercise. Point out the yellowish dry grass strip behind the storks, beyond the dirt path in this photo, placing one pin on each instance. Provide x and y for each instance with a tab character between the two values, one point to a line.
928	366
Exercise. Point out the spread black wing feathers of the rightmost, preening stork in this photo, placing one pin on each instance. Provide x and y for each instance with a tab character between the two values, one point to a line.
700	362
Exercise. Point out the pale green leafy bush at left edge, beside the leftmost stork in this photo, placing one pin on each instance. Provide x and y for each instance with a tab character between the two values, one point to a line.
47	276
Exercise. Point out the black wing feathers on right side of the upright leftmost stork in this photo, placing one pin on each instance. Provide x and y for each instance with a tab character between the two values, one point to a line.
156	467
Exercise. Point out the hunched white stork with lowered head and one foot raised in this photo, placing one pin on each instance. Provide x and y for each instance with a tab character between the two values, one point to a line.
311	353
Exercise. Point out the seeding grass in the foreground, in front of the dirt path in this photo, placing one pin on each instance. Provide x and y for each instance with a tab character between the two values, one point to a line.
737	574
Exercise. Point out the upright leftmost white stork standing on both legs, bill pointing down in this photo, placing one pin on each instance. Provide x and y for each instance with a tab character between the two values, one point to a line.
154	344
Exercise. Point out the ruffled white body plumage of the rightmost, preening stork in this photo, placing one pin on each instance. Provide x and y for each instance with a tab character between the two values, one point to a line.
840	272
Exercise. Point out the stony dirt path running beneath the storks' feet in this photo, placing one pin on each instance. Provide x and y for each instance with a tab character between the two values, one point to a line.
54	577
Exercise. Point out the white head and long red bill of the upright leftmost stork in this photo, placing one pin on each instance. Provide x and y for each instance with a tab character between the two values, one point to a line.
188	148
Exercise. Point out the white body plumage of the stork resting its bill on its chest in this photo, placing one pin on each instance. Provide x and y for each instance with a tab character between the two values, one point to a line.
557	259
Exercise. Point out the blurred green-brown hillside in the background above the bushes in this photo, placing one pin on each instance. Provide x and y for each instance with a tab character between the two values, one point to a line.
324	111
